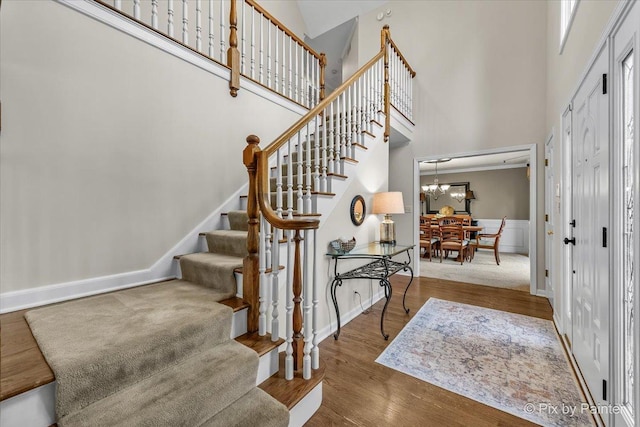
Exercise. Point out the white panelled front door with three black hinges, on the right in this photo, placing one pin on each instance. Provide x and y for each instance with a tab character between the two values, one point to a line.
591	204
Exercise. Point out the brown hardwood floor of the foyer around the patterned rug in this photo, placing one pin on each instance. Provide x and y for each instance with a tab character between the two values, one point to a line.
359	392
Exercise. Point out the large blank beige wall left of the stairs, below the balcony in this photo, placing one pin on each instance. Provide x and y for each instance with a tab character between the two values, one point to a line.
111	150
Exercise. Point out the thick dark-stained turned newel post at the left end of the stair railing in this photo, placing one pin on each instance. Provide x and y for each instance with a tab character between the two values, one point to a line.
250	273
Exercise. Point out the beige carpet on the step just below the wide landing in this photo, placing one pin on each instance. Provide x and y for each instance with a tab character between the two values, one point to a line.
186	393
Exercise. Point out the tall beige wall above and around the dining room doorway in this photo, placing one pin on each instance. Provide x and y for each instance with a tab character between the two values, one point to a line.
479	85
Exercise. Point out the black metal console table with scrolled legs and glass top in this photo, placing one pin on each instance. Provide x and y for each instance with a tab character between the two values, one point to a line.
380	268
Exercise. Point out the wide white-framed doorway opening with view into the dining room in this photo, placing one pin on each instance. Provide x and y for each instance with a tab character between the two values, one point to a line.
481	187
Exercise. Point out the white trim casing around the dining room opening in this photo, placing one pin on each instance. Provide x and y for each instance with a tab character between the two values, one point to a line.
533	205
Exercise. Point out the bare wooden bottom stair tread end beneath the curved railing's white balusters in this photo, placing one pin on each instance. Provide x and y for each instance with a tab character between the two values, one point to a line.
290	392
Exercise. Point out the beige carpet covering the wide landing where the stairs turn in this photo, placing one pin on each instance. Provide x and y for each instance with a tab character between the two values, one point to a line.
140	323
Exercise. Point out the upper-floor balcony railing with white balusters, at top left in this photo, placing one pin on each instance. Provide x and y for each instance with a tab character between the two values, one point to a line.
251	43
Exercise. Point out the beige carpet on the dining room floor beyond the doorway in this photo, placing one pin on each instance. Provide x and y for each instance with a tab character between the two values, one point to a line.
512	273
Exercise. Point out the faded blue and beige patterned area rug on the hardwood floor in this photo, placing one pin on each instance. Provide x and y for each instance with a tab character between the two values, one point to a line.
511	362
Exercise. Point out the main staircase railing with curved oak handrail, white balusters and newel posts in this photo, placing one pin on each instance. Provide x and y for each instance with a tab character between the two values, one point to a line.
285	175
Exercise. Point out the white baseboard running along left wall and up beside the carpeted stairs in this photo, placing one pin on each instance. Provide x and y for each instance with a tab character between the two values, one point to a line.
164	268
